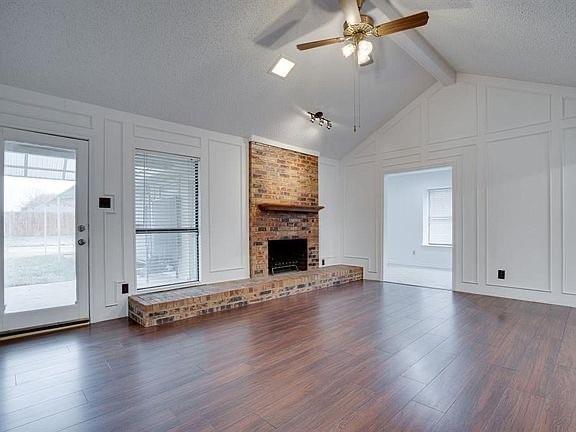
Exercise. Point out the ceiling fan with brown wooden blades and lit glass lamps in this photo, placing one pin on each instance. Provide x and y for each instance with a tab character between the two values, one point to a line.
358	28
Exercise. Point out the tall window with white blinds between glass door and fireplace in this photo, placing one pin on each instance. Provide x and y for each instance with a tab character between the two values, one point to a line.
166	212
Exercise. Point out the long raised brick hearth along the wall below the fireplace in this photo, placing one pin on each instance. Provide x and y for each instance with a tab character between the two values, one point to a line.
174	305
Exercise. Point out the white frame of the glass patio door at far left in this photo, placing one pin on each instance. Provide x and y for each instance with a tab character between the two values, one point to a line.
80	311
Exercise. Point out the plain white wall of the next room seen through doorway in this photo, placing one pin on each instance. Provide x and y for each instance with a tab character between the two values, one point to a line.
404	197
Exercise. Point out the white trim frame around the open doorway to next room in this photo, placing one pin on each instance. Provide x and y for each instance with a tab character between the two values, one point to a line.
456	211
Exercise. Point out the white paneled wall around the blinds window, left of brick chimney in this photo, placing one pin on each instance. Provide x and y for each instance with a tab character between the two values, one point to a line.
112	137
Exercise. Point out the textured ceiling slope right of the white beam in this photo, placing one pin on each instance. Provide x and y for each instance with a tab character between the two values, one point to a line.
532	40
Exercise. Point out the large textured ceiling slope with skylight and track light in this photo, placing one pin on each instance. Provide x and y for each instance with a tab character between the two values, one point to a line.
204	63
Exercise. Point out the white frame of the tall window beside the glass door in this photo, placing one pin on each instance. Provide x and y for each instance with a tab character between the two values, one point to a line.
179	151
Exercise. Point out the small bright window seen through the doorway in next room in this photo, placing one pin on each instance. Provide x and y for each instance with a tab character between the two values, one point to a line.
439	224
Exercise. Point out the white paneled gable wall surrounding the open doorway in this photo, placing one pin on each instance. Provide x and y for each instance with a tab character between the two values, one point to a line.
513	149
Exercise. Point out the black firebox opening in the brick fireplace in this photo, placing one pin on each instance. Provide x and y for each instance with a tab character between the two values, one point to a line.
287	255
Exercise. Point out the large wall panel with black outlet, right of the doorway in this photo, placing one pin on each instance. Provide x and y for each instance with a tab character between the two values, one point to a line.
518	212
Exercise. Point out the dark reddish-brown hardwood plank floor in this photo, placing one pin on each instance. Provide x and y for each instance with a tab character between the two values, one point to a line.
363	357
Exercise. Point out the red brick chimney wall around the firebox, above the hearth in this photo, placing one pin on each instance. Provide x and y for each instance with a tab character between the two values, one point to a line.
281	176
